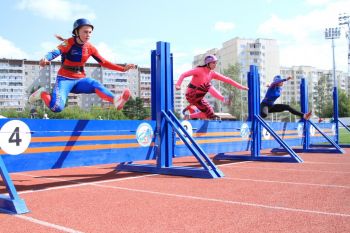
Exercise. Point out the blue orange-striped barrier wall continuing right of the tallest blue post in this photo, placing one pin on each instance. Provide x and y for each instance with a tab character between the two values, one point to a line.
233	136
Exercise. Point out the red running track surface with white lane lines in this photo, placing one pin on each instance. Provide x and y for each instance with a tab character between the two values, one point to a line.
313	196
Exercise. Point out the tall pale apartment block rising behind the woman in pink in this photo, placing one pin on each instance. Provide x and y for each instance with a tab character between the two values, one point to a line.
264	53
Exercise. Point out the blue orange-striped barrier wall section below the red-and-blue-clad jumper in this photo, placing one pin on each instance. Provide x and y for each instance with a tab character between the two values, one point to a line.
70	143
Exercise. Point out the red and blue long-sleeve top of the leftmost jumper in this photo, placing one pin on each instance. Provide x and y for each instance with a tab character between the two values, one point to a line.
76	55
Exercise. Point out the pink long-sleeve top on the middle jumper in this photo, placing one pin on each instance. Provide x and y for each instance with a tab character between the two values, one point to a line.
201	75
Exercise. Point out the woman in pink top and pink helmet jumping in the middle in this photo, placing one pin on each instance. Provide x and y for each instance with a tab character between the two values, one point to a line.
200	85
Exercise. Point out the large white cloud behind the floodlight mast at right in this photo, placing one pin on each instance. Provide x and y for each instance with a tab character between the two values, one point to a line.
302	39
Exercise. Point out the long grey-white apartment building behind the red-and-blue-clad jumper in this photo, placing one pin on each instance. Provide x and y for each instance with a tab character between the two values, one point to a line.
19	78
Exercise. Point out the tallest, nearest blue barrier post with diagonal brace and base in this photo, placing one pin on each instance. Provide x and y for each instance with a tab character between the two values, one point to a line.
167	123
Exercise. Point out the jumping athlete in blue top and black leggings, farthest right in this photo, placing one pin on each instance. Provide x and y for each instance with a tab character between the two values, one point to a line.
273	92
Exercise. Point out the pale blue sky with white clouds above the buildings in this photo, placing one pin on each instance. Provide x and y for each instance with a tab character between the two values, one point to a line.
126	31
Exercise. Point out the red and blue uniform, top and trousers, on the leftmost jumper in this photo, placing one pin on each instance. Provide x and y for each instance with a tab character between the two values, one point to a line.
71	76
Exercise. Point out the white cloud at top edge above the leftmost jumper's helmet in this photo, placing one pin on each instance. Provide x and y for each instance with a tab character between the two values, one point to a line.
58	9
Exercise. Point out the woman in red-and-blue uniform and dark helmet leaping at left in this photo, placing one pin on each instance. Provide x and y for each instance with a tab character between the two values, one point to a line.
71	77
